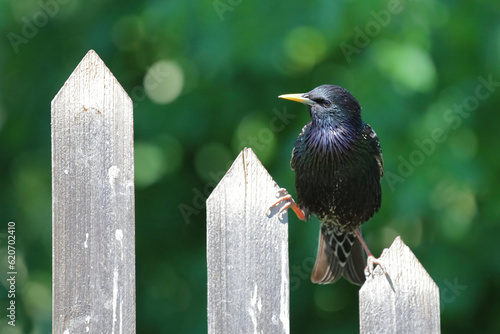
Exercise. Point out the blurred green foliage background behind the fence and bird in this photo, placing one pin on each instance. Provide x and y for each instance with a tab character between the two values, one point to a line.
204	77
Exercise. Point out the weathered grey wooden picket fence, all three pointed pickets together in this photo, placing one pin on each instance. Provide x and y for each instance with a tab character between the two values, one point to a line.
247	247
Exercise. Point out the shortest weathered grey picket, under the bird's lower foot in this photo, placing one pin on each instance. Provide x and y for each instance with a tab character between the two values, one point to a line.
404	301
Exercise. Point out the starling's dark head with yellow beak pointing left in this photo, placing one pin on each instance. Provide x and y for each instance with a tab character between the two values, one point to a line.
329	103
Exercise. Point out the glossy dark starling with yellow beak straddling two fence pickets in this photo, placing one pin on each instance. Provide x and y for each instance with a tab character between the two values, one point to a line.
338	165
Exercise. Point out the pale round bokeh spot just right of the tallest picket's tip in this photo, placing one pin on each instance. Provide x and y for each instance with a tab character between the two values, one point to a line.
164	81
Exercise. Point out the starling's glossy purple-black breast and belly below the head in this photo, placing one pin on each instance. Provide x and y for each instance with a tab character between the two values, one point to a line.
334	178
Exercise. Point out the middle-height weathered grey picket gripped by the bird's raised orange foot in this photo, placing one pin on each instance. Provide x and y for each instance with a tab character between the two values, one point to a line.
247	253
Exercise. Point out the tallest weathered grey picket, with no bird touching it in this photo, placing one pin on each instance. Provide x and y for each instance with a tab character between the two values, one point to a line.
93	204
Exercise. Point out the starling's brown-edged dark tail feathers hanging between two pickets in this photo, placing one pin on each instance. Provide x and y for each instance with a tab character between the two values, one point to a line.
338	254
